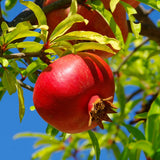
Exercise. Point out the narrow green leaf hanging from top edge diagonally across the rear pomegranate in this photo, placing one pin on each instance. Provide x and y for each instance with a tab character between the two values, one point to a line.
108	17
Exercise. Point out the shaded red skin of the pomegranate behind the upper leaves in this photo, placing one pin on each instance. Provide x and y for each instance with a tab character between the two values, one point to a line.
96	22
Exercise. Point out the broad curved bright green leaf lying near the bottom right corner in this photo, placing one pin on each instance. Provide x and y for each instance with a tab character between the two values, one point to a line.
143	145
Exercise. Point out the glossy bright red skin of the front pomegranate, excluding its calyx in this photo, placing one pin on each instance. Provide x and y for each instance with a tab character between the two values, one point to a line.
63	90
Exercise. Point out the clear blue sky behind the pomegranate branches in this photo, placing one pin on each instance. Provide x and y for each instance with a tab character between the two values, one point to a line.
21	149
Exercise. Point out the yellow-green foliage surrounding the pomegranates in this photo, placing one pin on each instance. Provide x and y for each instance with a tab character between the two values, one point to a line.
141	70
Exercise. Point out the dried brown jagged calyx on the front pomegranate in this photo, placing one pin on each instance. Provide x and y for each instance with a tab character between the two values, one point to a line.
99	111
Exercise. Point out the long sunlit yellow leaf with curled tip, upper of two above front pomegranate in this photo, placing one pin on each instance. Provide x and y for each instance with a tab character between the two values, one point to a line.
91	36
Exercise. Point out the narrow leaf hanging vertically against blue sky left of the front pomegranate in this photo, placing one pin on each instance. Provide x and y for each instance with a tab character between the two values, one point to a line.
21	101
